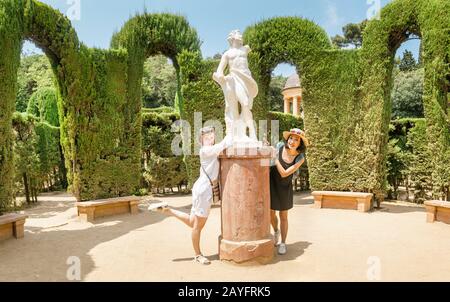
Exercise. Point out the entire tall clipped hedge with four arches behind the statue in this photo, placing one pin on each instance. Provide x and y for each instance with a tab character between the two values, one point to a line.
346	92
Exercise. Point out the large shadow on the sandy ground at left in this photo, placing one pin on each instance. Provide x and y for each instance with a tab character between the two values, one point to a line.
53	247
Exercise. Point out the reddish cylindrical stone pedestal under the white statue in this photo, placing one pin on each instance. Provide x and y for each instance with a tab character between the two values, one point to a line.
245	188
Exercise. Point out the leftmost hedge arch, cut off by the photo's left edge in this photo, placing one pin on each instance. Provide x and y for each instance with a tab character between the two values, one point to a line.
49	30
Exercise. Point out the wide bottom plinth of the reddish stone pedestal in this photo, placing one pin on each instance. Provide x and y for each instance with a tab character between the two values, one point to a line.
246	252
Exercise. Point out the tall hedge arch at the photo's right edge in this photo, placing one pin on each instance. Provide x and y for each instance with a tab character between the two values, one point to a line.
428	19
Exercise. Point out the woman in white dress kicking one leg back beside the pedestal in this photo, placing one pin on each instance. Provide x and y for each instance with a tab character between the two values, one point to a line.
202	194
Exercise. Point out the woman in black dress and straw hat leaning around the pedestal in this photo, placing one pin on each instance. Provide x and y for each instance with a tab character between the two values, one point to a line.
289	158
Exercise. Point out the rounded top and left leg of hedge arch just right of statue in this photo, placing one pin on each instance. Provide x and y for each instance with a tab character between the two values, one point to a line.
278	40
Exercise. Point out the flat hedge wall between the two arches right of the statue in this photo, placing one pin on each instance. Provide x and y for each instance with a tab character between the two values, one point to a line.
332	109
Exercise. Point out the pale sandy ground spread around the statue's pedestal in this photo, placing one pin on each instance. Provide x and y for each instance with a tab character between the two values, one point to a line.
394	244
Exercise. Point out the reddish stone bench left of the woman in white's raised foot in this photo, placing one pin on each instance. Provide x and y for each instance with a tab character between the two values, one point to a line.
88	211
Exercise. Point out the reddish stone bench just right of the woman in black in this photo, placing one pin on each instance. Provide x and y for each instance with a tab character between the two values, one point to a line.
343	200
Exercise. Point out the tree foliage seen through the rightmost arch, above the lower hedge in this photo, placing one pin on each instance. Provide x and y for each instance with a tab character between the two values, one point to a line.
407	94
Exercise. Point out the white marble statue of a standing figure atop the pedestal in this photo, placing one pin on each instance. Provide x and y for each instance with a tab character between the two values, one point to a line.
239	88
